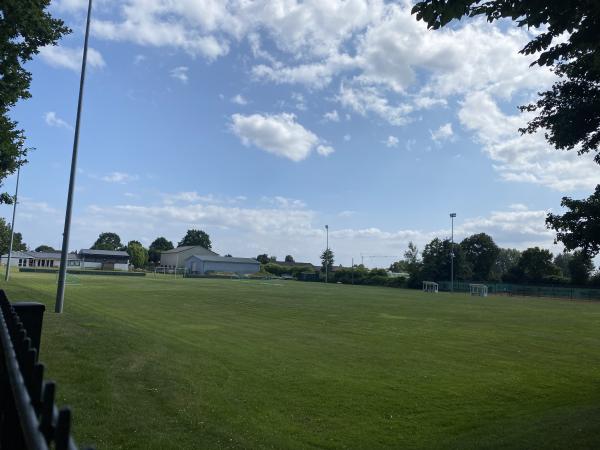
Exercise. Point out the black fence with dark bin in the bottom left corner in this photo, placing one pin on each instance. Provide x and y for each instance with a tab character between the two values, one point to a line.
29	418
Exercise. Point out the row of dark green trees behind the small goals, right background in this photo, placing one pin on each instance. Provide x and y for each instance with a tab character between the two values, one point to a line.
478	258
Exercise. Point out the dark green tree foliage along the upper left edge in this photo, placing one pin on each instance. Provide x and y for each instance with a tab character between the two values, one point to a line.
25	27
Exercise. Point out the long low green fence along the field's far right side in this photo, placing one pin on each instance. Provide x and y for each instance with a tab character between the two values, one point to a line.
574	293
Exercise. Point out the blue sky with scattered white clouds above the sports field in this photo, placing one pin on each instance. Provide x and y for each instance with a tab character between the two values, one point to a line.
260	122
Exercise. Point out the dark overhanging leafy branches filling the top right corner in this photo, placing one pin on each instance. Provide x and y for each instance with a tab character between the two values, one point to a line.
570	111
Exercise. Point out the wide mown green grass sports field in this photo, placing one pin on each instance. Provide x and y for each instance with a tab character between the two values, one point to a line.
189	363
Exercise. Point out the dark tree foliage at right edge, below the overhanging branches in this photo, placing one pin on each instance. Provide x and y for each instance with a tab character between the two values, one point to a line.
579	227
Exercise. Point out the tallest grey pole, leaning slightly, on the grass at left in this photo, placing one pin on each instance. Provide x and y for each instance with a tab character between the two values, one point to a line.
62	274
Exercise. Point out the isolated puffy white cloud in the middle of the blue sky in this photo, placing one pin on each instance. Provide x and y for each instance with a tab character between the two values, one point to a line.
278	134
